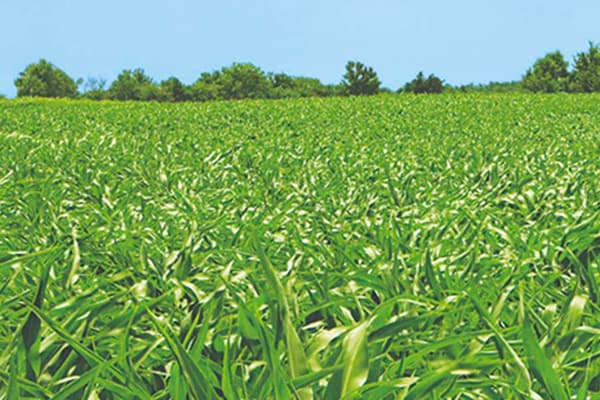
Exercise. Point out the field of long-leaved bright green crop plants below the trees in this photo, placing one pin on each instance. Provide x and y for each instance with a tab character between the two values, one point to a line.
389	247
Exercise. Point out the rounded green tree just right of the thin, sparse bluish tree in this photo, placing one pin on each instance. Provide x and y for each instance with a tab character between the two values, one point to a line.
134	85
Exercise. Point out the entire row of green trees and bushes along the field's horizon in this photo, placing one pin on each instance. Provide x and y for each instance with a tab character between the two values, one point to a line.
551	73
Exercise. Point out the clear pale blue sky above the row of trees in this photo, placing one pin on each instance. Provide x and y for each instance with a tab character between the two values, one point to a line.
461	41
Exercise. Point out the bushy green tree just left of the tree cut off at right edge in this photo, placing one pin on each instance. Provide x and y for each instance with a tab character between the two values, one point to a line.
549	74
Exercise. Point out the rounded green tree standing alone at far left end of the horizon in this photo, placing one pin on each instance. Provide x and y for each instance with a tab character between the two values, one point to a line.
45	80
